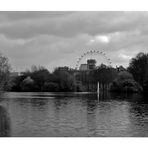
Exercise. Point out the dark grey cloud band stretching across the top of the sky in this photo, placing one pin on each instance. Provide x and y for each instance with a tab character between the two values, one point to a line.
71	24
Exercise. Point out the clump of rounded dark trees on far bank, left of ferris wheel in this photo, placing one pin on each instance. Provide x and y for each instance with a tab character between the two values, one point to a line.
39	79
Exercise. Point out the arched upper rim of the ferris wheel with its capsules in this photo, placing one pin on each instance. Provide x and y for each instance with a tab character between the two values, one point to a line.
91	54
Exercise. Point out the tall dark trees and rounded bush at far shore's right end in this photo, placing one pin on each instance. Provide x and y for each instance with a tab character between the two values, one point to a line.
135	78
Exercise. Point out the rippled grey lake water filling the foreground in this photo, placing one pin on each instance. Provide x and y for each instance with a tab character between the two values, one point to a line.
73	115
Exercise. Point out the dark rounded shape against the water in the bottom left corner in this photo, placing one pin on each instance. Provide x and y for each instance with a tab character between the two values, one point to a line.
4	123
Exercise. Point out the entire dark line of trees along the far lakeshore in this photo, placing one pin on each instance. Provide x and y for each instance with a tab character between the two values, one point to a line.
38	79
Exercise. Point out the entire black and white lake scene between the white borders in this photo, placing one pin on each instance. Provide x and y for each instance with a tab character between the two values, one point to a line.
74	73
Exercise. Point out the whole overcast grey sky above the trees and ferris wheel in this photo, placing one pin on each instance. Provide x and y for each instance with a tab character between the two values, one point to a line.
55	39
